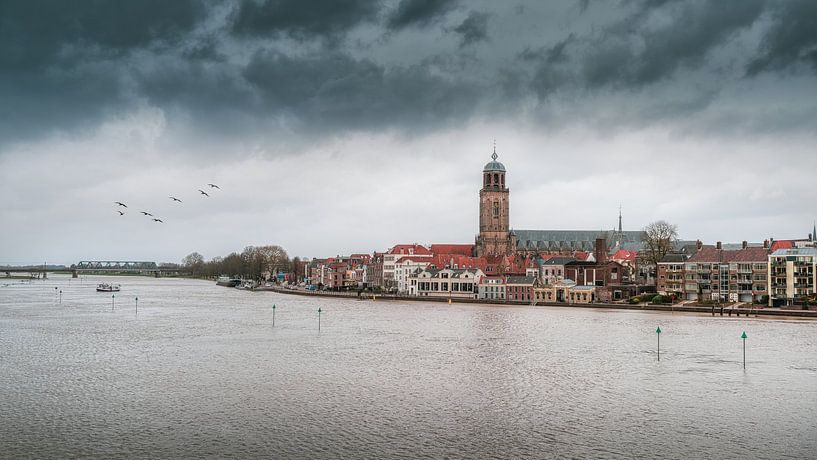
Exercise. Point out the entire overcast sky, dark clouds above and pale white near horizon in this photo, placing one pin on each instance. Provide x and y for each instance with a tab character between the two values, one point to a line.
343	126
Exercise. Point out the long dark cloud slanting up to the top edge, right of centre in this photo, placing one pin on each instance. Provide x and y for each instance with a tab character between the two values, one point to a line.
640	50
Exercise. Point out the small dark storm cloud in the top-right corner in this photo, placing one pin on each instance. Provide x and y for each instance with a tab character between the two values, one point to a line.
792	38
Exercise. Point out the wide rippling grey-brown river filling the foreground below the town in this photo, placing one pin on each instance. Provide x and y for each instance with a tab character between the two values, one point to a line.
200	371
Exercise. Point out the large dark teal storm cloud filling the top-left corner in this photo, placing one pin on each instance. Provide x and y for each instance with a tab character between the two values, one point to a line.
62	64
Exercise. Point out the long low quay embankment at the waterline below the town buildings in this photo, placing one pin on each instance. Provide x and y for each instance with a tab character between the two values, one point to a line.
709	310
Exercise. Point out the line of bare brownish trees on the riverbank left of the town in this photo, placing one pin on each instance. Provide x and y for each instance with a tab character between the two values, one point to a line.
254	262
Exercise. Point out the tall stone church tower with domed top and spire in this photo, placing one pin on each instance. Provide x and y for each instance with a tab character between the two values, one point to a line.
494	238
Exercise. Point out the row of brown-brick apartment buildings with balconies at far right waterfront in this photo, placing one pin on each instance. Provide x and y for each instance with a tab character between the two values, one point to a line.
780	273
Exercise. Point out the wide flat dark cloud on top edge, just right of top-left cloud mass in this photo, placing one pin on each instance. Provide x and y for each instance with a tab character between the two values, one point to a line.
324	18
